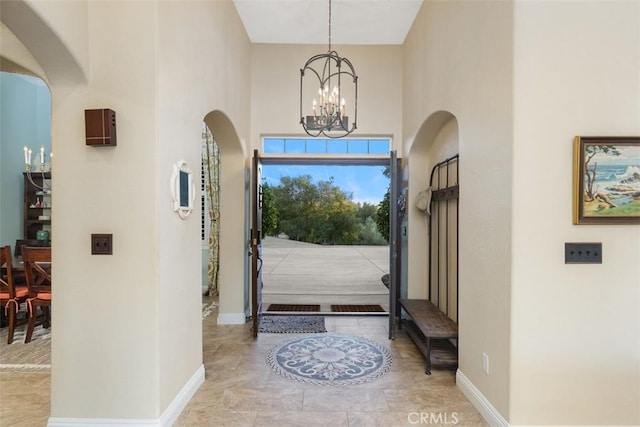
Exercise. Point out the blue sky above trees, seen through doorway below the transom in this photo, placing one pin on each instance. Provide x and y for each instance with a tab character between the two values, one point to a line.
366	183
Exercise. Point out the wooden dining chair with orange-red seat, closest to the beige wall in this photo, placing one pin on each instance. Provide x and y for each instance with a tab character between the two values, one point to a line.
37	269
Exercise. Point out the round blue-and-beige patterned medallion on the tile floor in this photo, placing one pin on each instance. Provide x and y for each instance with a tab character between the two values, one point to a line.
330	359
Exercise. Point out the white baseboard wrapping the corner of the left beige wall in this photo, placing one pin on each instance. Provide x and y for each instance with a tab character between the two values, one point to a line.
167	419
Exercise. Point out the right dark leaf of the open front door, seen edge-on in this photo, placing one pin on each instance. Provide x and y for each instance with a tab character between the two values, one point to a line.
394	242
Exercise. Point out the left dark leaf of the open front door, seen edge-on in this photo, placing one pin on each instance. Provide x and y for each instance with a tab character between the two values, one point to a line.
256	242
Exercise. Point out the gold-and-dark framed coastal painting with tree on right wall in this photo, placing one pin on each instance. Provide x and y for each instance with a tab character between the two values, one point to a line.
606	180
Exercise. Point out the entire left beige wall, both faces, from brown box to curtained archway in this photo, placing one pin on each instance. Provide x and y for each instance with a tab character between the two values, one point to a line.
128	328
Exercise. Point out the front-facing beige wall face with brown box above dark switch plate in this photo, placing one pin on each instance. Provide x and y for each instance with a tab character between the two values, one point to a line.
99	349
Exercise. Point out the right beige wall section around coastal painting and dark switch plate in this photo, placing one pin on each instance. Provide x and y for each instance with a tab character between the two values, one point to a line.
575	356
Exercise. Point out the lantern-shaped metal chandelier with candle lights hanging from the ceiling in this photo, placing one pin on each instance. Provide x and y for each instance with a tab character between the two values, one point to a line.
329	96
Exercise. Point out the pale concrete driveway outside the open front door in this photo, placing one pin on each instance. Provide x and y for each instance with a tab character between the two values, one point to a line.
304	273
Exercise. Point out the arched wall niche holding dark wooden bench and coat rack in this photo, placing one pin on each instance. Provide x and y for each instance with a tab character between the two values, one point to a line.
433	240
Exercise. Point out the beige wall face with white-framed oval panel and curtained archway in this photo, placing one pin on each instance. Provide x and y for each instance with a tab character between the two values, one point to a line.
192	83
